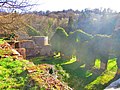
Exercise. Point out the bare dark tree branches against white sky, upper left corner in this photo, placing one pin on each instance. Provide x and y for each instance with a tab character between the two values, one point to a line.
14	5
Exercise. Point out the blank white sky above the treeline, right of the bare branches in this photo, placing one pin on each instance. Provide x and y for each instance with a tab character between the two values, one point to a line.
59	5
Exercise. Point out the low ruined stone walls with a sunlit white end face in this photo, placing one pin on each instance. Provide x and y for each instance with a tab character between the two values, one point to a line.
36	46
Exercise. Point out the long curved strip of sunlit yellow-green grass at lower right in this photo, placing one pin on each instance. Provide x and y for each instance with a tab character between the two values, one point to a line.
105	77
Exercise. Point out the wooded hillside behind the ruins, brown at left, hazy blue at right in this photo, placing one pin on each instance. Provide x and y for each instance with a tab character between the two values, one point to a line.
92	21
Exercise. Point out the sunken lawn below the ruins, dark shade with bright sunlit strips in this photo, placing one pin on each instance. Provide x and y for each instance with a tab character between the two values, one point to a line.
80	77
